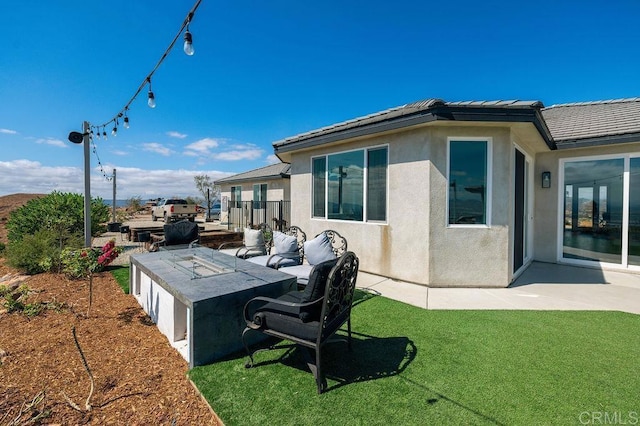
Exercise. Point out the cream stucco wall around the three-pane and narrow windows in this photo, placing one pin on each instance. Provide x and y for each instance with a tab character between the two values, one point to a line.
415	244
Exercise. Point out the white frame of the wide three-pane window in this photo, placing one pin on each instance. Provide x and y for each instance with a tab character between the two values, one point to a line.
365	177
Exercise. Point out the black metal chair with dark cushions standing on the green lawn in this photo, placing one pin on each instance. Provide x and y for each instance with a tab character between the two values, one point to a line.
311	317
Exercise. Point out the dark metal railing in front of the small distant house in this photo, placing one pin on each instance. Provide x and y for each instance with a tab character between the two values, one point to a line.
248	214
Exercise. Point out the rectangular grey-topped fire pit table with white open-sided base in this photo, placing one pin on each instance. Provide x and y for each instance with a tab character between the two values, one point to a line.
196	297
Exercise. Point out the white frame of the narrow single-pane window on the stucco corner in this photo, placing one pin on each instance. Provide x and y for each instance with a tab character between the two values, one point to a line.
489	181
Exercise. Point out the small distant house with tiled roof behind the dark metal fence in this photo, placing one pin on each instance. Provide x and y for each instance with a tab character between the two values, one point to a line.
256	196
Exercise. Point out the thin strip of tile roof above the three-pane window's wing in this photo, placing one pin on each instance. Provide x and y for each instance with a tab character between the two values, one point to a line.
413	108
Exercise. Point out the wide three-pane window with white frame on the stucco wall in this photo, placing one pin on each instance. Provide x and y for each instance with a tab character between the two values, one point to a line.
344	183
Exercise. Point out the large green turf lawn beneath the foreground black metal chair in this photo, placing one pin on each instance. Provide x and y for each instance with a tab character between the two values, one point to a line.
412	366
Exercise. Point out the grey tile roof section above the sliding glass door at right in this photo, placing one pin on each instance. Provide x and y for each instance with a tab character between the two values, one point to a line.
588	120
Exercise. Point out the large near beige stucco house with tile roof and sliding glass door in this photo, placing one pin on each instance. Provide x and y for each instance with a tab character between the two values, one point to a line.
469	193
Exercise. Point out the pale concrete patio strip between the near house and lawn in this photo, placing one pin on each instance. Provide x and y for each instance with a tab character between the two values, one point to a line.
543	286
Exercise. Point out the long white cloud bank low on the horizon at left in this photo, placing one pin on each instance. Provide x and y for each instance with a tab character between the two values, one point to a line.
32	177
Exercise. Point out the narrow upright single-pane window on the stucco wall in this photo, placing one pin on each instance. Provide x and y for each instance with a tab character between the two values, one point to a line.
469	163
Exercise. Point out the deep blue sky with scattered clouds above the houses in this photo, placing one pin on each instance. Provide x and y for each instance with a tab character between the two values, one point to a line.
267	70
